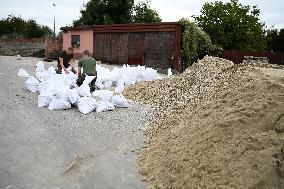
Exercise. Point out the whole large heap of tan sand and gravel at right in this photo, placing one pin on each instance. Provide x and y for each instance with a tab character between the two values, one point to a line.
221	126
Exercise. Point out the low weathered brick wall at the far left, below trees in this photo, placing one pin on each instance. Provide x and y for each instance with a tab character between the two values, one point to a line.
21	46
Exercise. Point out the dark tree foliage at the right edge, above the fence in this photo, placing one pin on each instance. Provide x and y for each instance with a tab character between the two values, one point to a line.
275	40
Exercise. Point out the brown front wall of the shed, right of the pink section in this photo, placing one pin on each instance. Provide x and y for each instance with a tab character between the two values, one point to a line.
154	49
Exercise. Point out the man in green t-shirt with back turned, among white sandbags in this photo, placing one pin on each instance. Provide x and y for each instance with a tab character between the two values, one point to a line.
89	68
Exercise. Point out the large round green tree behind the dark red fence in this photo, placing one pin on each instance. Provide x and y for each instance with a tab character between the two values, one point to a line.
232	25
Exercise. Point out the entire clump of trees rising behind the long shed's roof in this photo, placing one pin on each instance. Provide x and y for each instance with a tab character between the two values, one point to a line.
116	12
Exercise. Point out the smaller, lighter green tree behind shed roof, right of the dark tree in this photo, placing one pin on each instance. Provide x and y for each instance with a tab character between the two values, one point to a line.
143	13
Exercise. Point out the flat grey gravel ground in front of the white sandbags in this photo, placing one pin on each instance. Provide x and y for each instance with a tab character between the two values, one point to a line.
64	149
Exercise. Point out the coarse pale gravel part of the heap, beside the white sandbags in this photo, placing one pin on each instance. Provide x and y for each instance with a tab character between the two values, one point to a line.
182	91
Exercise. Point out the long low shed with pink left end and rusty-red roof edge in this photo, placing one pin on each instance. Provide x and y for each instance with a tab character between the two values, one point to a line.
154	45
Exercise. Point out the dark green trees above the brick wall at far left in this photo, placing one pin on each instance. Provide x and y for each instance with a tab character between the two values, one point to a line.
13	26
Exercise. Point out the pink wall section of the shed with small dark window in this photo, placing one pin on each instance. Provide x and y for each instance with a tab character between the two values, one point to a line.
80	40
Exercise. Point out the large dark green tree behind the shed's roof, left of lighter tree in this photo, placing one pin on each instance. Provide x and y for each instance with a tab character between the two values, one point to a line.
105	12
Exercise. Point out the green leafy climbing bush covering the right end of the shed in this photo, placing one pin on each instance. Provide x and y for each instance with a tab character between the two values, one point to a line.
195	42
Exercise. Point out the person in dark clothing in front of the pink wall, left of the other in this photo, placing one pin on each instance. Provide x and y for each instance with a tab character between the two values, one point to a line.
65	61
